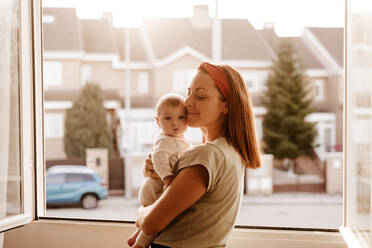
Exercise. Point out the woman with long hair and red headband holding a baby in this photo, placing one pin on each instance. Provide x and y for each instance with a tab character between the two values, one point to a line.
200	207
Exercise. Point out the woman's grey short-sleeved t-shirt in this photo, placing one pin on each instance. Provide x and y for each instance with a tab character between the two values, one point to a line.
210	220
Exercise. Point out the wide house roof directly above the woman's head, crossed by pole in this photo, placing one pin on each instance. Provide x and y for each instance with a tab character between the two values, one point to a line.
240	41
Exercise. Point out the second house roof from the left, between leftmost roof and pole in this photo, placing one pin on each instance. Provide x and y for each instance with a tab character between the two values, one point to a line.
98	36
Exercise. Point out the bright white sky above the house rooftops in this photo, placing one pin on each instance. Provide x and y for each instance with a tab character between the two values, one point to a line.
289	16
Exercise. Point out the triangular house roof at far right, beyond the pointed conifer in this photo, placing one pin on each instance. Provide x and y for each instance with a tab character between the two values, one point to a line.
331	39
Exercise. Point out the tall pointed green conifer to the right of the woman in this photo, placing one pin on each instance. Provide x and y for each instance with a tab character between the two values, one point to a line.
286	134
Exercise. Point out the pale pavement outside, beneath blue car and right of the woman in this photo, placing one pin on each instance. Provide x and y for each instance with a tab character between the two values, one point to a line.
302	210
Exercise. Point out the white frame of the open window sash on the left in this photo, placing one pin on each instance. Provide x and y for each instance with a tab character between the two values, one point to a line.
26	121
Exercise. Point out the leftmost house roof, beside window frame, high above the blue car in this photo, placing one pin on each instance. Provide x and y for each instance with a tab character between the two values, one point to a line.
63	33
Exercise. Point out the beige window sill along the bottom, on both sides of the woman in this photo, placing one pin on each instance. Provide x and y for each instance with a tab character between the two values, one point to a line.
68	233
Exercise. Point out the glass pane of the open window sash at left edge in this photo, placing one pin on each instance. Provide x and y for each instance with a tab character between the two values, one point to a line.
10	169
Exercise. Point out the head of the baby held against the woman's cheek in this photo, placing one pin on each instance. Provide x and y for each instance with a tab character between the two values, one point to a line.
171	114
